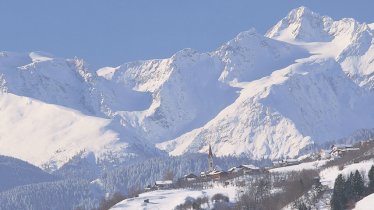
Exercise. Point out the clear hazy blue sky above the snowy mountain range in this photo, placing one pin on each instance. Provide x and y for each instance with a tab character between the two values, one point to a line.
112	32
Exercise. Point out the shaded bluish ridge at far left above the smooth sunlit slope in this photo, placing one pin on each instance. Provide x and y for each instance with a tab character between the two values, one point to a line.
48	79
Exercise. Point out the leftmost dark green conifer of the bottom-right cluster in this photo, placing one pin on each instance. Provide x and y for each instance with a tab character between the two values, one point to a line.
338	200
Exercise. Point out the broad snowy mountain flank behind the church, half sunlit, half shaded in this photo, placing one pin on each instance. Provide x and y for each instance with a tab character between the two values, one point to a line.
312	101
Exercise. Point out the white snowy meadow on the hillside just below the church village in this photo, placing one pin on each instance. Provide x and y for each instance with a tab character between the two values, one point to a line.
169	199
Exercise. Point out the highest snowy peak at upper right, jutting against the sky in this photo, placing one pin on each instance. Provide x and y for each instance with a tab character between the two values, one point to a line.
350	42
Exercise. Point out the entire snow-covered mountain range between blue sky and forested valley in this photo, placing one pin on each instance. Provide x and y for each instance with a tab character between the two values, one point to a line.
309	80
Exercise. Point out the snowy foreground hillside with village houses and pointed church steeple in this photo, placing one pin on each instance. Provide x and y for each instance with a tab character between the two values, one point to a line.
303	183
